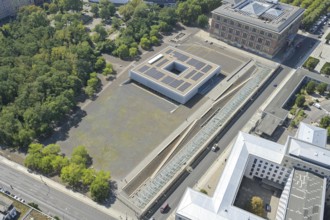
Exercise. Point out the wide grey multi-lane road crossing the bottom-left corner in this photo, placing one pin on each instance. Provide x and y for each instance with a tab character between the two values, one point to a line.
54	201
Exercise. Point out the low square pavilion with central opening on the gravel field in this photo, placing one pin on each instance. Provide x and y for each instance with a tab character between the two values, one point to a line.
175	74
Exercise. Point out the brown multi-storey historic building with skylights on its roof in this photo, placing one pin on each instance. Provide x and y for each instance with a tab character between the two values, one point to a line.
261	26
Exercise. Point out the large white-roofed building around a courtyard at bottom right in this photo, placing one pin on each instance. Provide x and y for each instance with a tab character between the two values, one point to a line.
301	167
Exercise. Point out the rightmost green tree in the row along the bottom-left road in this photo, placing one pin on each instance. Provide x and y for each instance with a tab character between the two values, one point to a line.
100	187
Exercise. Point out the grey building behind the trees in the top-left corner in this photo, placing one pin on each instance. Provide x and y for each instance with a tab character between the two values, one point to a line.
10	7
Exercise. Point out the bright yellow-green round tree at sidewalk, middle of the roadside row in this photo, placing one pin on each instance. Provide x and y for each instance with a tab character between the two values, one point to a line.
72	174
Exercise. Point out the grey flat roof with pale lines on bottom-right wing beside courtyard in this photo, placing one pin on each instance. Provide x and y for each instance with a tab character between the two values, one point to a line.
305	200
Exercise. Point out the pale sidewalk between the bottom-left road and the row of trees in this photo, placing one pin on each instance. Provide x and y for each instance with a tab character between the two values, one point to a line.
109	211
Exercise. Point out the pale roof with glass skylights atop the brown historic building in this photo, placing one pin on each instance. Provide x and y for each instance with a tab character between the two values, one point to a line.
269	14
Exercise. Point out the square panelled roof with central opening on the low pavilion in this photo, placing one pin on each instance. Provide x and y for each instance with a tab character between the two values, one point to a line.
176	70
